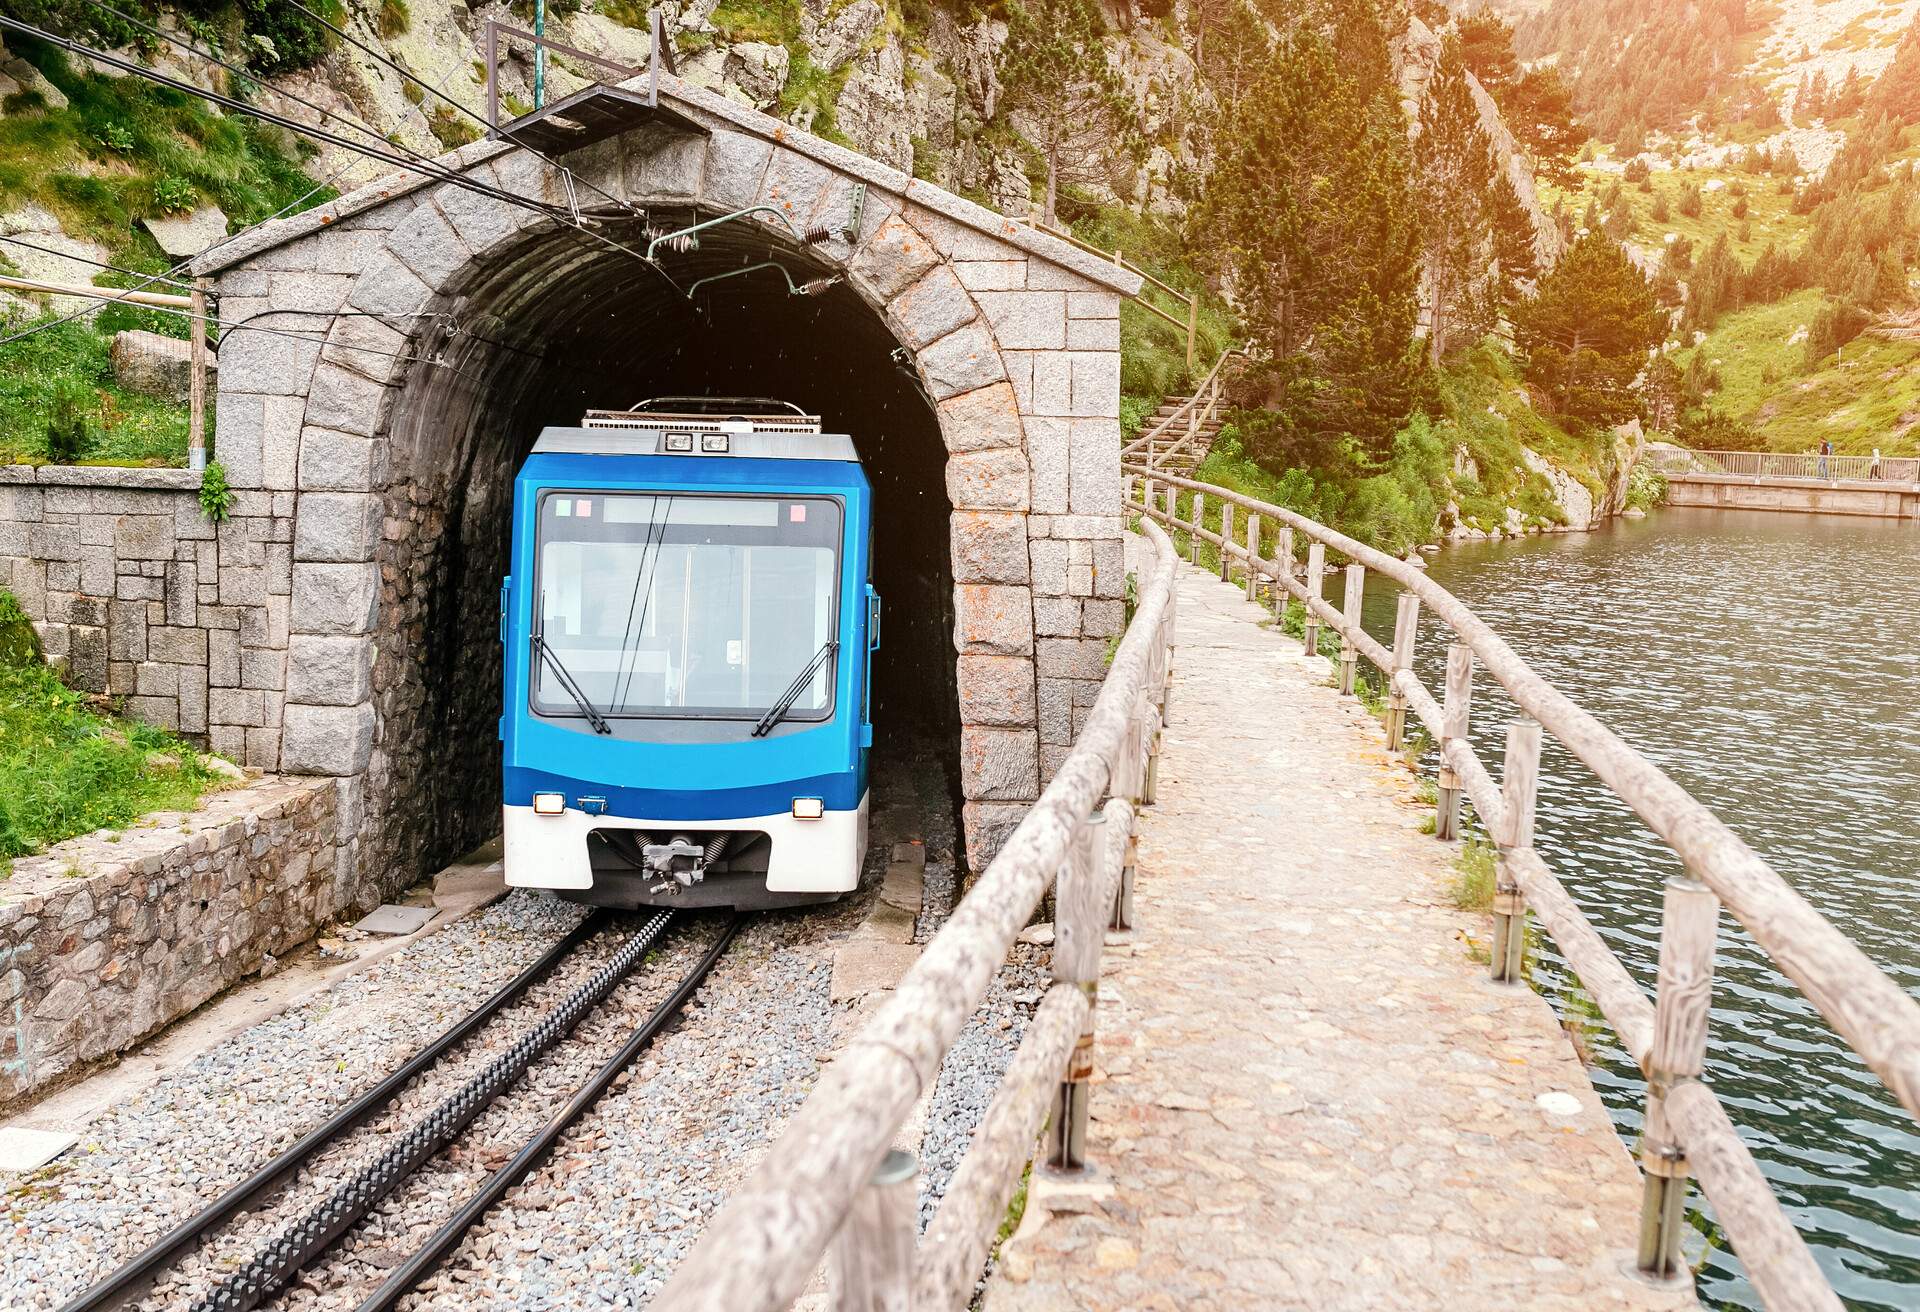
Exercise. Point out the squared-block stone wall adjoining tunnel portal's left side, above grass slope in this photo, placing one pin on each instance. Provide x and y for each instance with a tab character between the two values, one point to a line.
139	596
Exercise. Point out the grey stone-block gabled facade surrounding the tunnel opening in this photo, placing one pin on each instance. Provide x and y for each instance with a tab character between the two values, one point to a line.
1013	335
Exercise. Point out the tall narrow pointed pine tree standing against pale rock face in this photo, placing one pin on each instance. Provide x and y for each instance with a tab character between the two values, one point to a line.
1454	170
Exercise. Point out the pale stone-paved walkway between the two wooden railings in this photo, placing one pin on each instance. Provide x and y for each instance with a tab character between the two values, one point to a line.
1308	1094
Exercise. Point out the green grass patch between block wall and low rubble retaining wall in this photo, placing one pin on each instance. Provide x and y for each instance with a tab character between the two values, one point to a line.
66	769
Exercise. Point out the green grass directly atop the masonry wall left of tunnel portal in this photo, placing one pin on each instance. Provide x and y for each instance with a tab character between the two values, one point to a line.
128	429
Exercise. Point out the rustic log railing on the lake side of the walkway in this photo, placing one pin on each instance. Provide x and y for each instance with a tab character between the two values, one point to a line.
1687	1127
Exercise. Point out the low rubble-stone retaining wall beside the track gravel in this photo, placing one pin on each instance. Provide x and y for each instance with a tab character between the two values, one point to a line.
110	936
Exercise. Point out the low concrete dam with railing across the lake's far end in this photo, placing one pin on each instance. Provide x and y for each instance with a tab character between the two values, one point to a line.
1790	481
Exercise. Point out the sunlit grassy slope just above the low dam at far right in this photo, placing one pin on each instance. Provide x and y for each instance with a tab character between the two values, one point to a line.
1869	397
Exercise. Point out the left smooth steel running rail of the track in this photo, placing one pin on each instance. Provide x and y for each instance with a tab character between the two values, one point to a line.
132	1280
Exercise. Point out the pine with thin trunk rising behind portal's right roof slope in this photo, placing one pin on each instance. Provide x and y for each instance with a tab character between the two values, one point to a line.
1061	93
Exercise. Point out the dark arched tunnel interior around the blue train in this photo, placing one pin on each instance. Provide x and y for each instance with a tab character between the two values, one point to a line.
550	329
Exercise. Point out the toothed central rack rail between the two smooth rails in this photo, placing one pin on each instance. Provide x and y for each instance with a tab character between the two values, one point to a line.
302	1242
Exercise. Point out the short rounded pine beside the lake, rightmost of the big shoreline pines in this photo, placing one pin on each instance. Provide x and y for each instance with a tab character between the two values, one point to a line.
1587	333
